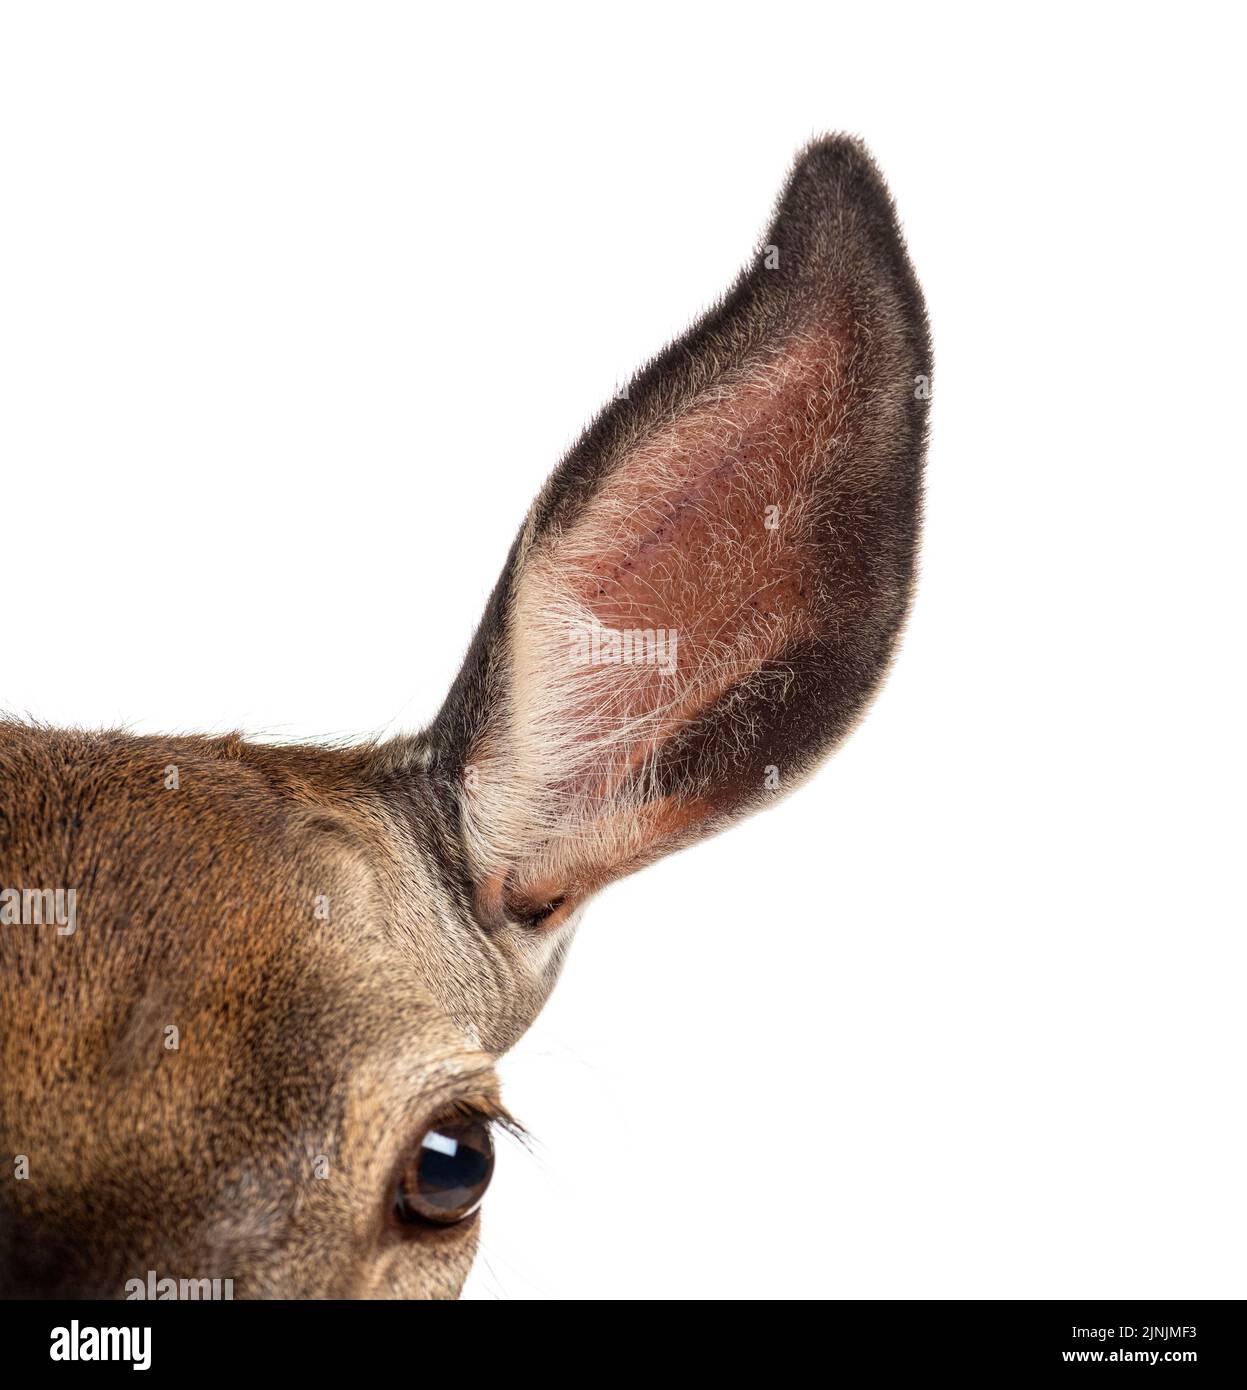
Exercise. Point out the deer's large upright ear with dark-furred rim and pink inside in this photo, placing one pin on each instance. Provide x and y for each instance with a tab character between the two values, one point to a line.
710	587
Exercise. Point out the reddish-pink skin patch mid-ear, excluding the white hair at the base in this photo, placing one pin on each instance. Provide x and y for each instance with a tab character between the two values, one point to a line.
712	529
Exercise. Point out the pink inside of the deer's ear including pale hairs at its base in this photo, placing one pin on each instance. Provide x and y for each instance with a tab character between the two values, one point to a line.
728	533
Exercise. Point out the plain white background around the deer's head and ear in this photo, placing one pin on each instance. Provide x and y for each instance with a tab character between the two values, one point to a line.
300	305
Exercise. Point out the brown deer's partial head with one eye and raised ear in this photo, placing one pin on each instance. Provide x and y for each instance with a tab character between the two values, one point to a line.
266	1052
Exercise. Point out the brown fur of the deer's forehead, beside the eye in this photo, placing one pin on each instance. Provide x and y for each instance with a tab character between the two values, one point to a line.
269	911
